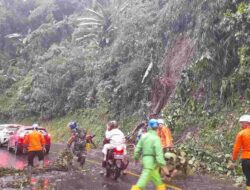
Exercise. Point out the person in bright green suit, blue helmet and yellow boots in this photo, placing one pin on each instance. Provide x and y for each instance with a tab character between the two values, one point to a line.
149	147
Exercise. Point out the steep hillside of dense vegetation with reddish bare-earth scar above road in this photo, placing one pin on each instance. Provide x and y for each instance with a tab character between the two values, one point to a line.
95	60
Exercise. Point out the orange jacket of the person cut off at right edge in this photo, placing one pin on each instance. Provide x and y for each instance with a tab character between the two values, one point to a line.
242	142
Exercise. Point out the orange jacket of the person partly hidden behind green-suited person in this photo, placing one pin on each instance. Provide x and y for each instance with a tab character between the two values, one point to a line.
166	137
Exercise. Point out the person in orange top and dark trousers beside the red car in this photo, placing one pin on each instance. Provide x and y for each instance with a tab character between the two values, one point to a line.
36	147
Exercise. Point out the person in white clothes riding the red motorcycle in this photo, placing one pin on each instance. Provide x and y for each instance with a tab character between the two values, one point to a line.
113	138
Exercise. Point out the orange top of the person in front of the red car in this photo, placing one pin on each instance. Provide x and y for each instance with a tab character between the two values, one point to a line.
35	141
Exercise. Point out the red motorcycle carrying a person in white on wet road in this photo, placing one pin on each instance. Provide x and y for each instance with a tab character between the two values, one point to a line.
116	162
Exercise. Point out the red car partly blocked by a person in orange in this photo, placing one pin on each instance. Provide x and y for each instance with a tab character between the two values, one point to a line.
16	139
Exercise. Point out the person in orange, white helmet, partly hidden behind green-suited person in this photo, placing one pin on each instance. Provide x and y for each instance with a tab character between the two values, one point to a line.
165	135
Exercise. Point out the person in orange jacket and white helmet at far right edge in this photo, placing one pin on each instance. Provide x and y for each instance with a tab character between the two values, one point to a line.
242	142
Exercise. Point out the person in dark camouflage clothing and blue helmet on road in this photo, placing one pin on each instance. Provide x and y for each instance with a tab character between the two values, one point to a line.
78	137
